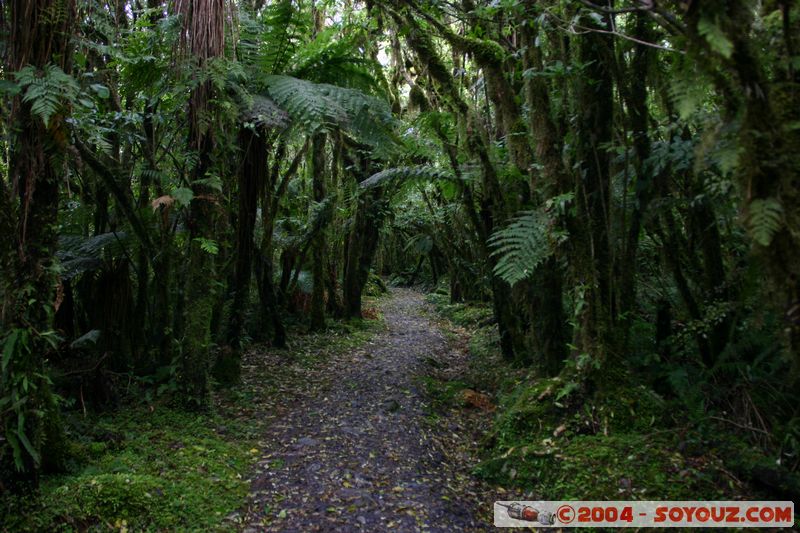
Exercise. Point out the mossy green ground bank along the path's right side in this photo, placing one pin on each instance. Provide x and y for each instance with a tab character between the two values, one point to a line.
553	440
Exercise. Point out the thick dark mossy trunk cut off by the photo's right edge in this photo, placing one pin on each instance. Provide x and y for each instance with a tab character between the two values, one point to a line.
767	104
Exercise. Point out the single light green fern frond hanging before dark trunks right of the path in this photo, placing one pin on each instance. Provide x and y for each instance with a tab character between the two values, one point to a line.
523	245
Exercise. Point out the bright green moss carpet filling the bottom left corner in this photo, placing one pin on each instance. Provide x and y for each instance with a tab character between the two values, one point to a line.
170	470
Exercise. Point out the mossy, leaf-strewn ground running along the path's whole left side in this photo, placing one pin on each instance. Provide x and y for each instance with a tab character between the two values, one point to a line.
153	467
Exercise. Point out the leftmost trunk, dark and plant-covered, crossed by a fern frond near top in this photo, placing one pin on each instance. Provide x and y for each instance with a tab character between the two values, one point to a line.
32	437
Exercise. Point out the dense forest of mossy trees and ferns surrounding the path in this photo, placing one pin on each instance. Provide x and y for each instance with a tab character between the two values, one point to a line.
618	182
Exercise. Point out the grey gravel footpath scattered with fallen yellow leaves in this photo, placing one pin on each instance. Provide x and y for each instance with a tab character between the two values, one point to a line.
357	452
